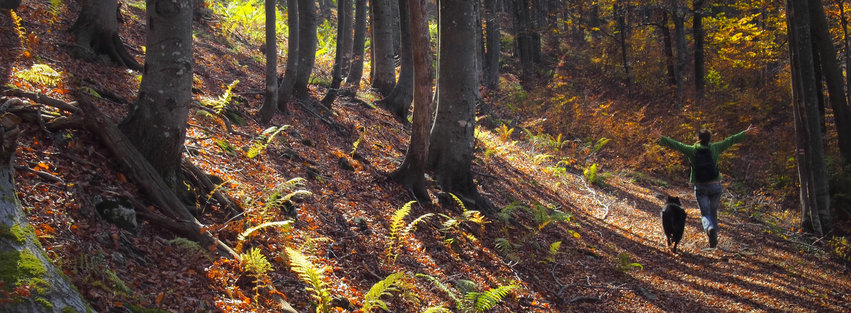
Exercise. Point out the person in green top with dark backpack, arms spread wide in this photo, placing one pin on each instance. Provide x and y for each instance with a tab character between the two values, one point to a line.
704	174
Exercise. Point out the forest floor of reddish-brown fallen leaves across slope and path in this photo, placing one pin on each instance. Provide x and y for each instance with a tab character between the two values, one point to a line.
612	255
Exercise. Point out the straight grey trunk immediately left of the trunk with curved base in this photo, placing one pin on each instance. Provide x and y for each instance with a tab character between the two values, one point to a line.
383	67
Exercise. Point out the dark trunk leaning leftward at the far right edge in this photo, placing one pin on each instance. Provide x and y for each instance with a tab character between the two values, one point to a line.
833	77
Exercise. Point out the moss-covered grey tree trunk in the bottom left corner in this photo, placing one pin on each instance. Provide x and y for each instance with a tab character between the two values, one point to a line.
22	258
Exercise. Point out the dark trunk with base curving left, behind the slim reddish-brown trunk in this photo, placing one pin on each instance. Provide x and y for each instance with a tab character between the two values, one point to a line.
399	100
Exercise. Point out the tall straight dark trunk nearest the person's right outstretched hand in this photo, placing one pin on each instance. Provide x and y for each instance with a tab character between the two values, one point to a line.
812	169
